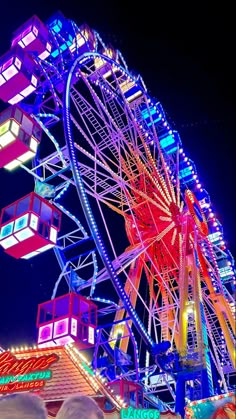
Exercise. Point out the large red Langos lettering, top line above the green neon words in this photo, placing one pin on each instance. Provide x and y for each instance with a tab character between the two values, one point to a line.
9	364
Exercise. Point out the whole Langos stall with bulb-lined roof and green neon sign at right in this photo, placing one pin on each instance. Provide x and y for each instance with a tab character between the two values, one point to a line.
58	372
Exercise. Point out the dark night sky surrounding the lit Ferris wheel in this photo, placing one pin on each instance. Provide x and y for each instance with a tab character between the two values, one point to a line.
185	54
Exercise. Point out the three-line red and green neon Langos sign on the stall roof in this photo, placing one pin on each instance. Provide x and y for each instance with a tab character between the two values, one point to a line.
24	374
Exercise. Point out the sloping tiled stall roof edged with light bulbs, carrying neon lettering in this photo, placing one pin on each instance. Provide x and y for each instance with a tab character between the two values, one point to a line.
54	373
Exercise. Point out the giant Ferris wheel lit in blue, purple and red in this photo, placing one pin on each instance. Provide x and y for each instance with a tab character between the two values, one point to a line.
139	236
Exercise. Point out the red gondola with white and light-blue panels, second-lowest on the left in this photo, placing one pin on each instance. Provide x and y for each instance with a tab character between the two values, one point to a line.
29	226
